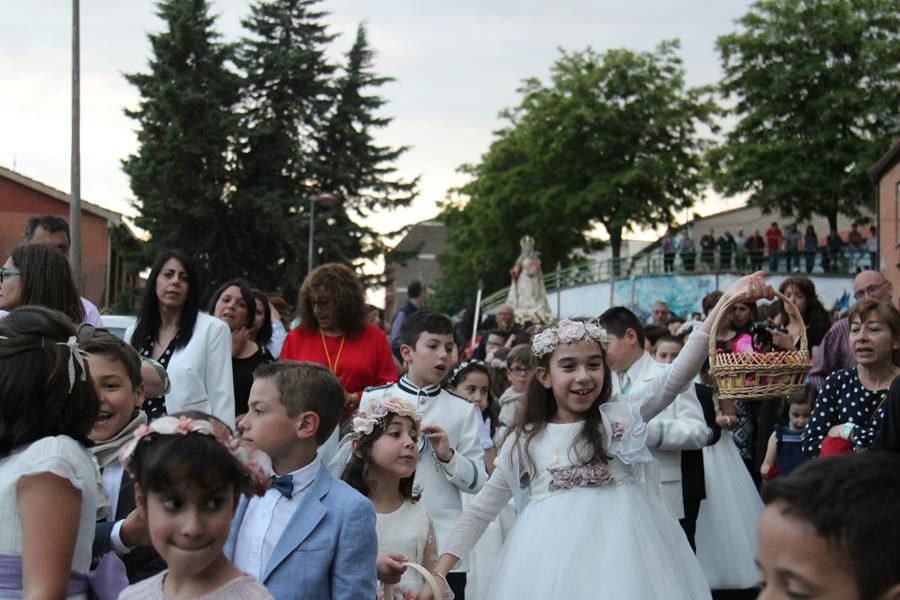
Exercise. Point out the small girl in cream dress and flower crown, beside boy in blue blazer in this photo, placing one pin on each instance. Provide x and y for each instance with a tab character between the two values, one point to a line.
385	448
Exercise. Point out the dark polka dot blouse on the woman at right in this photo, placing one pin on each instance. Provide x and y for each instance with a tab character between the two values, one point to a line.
843	399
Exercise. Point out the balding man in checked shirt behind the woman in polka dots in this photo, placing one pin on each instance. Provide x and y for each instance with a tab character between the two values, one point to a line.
834	351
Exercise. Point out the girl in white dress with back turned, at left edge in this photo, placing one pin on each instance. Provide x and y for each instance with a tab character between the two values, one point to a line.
48	479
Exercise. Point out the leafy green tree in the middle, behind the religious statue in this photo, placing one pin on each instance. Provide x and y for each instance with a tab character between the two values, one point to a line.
613	139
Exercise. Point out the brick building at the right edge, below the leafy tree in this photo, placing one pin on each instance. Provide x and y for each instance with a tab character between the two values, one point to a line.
886	175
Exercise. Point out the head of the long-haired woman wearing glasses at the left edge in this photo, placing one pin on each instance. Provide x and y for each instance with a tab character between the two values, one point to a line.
40	275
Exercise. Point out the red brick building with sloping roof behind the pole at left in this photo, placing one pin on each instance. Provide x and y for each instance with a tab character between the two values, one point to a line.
22	197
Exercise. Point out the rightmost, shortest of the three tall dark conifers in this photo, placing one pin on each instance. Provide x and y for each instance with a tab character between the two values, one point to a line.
352	165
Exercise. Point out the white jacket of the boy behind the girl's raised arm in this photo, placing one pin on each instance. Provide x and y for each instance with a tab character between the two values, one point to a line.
680	426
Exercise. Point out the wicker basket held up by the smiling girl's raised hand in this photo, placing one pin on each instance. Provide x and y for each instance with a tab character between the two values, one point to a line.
758	375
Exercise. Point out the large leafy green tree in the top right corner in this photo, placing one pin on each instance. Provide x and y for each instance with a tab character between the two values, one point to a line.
815	88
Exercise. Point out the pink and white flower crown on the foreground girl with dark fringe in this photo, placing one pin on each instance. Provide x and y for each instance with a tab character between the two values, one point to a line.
260	478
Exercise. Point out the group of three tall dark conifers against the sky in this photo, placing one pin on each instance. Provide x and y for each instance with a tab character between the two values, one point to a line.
229	158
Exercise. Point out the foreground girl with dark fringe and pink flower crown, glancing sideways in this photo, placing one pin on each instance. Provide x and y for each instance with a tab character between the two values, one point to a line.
189	473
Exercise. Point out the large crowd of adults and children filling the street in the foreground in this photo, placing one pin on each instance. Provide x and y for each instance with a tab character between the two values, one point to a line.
245	453
